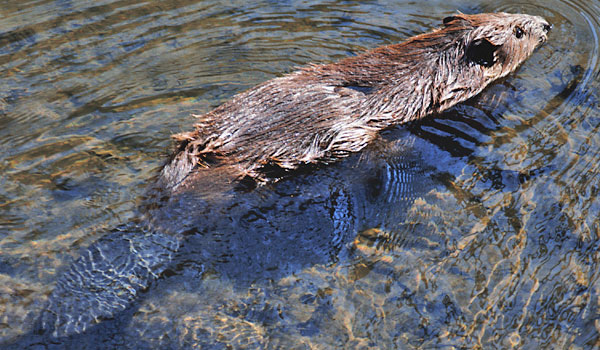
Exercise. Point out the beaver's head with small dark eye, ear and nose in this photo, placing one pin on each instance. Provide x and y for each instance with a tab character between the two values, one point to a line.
498	42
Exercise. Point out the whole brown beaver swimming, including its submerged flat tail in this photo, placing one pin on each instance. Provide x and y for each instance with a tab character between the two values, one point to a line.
316	115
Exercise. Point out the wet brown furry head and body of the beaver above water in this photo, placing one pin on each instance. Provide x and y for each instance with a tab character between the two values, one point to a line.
322	113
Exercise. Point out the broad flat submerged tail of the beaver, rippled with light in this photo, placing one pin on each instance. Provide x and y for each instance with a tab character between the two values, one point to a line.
106	278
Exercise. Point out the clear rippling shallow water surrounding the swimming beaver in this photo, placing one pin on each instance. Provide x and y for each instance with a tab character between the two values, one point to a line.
490	240
